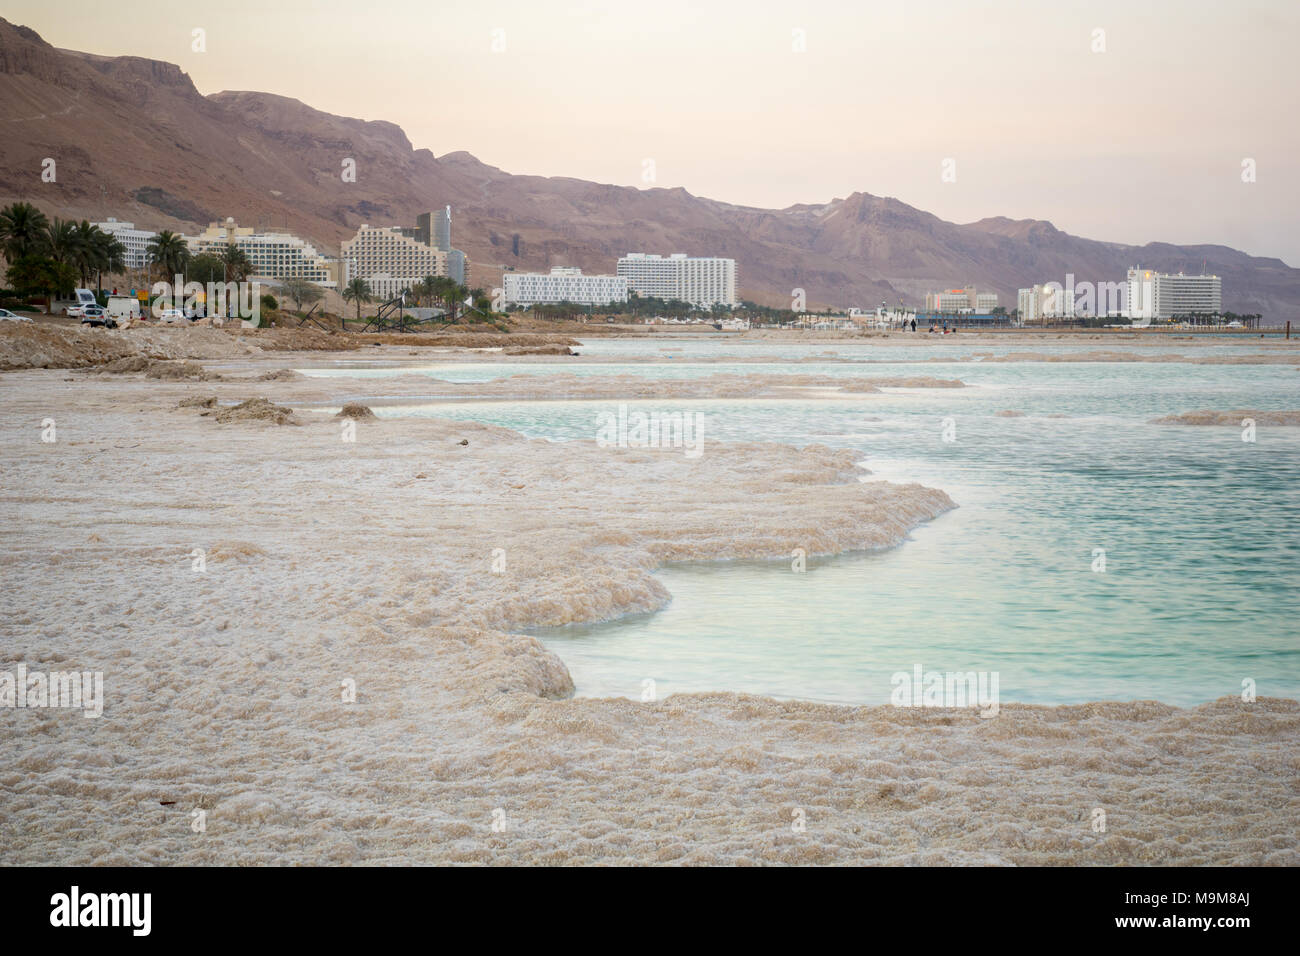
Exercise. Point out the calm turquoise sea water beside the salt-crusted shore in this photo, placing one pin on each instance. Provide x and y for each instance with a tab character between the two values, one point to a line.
1201	531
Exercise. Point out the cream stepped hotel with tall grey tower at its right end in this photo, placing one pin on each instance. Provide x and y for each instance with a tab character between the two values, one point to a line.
396	258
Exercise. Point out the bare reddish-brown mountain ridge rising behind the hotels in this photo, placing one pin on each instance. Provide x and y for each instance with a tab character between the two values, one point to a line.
133	139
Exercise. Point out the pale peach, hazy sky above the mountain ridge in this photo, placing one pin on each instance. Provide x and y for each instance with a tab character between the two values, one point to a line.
1126	122
